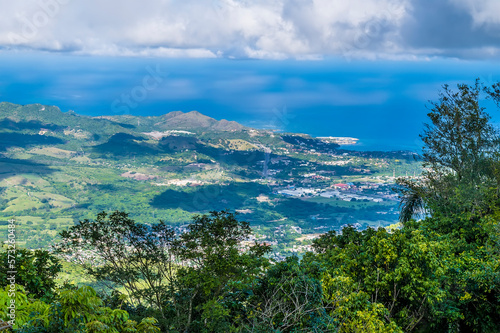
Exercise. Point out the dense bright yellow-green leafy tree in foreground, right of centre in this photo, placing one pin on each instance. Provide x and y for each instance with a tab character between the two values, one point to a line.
394	271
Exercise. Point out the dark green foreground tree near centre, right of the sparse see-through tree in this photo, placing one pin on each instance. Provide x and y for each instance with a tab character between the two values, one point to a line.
215	266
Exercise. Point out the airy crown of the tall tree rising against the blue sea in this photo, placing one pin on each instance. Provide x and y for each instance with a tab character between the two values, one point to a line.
460	137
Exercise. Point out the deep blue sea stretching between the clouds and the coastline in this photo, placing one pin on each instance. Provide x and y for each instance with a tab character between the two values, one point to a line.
382	103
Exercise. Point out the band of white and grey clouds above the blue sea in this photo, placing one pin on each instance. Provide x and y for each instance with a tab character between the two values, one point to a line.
272	29
